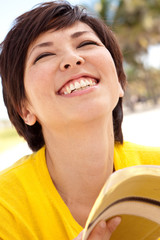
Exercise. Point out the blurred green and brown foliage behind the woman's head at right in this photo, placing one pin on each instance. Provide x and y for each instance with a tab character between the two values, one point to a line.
137	26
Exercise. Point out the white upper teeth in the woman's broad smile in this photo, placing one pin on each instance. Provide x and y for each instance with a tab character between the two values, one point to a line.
78	84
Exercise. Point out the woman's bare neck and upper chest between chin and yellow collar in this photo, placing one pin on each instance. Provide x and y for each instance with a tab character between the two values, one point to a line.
80	161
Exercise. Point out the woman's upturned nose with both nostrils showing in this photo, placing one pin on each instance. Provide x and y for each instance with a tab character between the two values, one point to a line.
71	61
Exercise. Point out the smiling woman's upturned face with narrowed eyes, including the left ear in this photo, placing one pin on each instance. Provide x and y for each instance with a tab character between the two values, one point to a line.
69	78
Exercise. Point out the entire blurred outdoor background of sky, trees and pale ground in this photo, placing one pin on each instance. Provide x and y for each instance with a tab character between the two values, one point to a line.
136	25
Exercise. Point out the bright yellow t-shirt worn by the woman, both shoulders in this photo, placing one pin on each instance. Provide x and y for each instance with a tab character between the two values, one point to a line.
30	206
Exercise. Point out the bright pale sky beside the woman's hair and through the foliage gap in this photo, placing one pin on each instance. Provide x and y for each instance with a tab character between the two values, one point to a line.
10	9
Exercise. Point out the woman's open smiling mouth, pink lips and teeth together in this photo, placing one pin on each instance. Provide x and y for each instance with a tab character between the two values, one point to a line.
78	85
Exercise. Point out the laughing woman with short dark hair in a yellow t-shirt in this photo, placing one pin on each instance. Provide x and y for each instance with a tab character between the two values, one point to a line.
63	84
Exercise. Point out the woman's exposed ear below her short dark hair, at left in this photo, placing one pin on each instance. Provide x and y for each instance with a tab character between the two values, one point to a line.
26	114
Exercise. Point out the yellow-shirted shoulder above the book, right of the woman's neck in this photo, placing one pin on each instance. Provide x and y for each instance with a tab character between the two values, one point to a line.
129	154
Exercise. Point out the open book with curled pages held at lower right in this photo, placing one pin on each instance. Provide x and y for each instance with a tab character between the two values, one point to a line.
134	194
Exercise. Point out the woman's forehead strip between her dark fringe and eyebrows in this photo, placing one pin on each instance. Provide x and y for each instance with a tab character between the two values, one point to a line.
67	31
